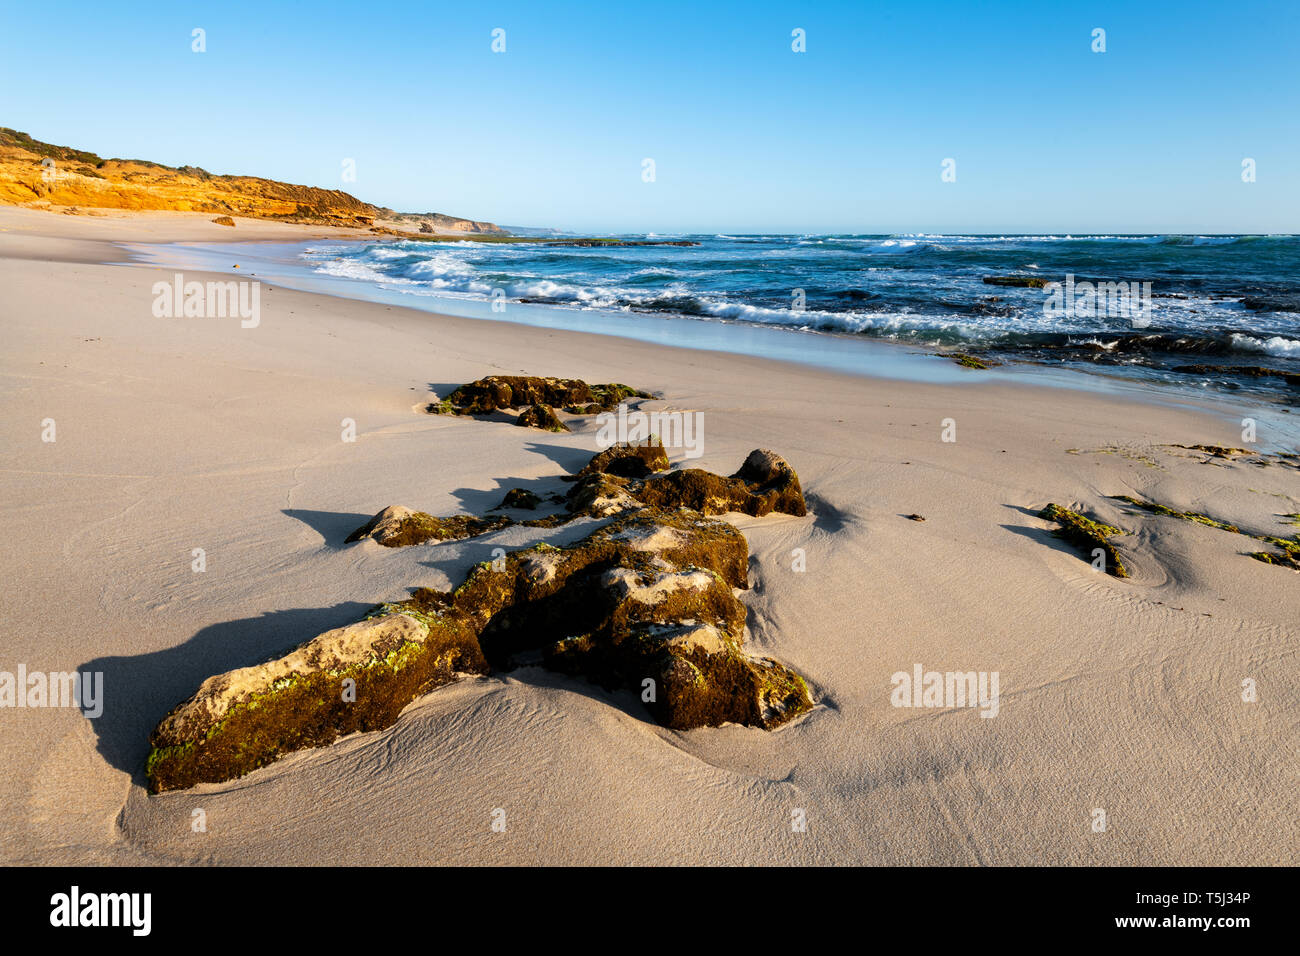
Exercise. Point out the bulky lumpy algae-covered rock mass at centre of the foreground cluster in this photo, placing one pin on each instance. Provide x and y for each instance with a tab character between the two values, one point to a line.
647	598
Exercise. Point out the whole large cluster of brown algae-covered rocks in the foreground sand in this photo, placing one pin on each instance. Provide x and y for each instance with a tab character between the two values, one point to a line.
645	604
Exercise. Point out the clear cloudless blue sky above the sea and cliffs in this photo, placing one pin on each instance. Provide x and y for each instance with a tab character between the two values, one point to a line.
747	136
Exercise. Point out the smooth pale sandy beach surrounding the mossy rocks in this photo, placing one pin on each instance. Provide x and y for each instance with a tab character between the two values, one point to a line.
1117	695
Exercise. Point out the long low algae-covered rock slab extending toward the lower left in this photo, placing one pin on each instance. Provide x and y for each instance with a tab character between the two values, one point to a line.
350	680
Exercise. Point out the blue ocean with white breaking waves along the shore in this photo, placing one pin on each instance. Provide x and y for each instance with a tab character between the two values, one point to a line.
1220	312
